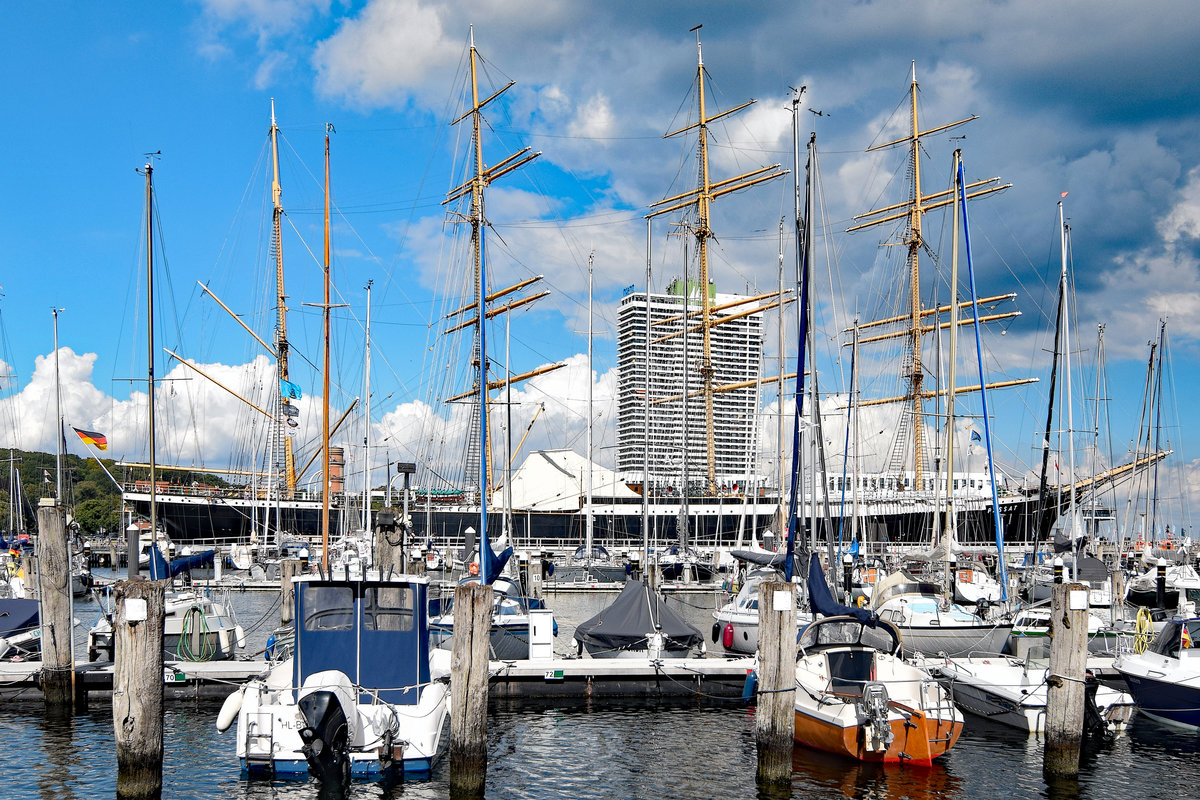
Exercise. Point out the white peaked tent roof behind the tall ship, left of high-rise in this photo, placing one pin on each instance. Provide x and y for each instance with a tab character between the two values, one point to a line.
555	480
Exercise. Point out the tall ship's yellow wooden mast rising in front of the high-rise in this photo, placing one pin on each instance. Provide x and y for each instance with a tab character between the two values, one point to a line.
703	200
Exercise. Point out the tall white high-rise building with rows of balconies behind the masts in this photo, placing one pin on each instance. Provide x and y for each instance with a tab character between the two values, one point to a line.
677	446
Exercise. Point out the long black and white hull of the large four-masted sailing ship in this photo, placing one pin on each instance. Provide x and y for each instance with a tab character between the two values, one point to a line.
236	518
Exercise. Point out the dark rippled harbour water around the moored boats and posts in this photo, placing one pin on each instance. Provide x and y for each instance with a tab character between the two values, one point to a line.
691	749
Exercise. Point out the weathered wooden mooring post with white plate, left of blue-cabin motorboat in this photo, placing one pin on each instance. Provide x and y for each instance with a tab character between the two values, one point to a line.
137	688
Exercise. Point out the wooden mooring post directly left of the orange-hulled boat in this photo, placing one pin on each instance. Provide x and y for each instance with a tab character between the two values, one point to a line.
776	714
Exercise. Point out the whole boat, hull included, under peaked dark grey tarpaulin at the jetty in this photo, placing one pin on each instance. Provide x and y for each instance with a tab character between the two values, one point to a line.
639	624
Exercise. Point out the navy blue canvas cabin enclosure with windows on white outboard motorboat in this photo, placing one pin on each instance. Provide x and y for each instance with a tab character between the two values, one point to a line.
375	630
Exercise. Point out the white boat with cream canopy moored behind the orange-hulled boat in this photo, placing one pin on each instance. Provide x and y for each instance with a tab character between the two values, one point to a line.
931	624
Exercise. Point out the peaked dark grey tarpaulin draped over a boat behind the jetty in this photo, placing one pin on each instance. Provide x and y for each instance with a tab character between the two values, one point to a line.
632	617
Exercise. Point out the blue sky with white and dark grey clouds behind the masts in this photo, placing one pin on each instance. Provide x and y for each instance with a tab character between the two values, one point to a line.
1077	98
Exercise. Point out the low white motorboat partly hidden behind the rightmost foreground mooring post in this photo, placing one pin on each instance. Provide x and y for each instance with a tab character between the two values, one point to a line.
1013	691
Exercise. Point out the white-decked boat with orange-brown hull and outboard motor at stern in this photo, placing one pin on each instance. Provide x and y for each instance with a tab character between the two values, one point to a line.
857	697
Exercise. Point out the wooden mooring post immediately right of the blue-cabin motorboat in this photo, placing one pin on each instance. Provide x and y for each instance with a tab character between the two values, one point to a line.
469	689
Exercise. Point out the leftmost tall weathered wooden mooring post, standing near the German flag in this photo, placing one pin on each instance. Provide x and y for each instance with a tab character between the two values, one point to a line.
55	588
